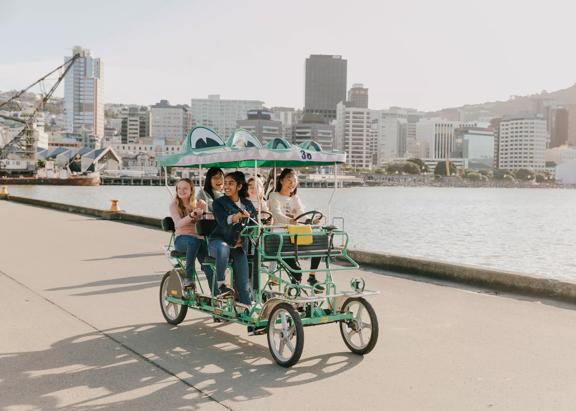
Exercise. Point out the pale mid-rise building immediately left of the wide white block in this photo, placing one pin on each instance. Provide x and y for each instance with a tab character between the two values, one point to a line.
169	122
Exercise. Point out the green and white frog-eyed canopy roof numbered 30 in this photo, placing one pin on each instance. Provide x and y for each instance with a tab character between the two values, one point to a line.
204	148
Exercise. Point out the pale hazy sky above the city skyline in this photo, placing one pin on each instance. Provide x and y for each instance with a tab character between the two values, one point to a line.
421	54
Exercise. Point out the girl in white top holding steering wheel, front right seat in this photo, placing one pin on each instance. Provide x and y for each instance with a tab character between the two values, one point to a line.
285	206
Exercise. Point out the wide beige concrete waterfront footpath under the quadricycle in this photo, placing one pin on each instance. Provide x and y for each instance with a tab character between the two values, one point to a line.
81	329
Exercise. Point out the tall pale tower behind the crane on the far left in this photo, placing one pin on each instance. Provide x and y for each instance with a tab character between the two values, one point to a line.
83	103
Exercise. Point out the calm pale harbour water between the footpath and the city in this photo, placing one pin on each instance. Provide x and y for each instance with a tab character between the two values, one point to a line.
525	230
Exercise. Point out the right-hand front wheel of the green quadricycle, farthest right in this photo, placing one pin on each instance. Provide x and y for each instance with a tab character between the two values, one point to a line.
361	332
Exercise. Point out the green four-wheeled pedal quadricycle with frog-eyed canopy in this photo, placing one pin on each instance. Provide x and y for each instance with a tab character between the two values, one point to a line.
281	307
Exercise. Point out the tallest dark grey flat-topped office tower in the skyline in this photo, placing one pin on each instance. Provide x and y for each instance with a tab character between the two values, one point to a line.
325	84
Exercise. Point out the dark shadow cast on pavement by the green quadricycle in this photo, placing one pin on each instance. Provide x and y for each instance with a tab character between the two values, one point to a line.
90	371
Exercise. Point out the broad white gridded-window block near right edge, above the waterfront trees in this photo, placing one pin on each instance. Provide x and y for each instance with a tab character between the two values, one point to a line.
522	144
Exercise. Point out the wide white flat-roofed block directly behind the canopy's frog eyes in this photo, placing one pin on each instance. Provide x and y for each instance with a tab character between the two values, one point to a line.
221	115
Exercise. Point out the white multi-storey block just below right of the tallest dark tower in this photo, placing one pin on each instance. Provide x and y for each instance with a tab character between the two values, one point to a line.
354	135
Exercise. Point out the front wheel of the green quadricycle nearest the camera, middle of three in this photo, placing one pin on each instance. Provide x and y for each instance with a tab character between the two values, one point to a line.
285	335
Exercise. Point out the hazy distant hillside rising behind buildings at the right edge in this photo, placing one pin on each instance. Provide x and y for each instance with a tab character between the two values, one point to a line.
516	105
